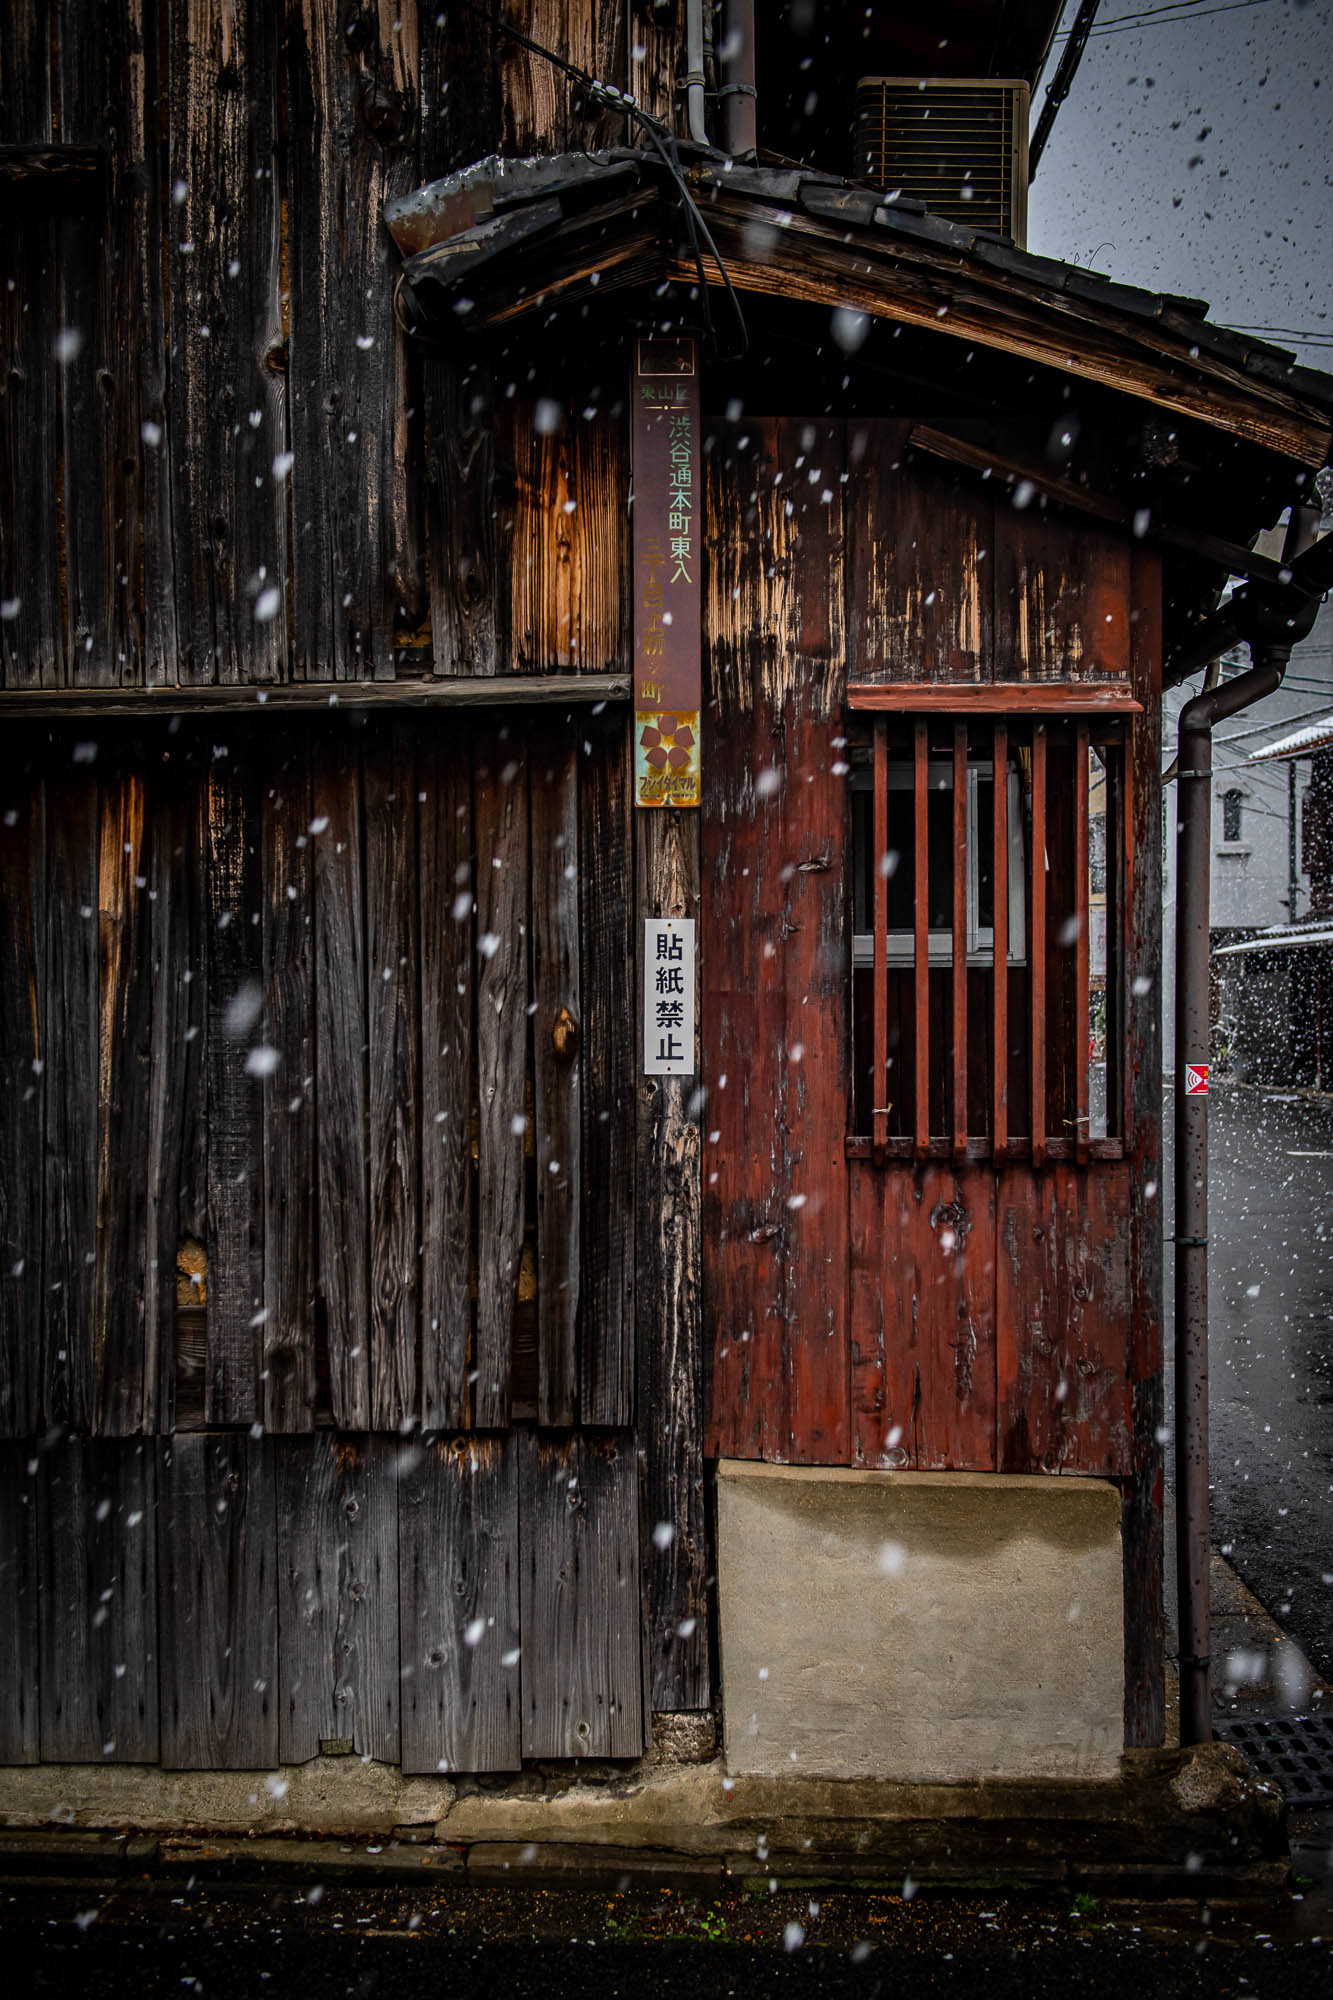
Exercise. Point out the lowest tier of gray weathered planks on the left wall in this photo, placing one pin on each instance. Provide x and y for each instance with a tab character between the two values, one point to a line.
219	1601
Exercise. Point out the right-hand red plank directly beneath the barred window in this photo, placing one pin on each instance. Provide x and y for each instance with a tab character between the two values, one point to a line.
1062	1313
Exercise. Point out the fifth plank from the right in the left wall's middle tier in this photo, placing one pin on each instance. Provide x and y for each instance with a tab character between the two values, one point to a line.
393	995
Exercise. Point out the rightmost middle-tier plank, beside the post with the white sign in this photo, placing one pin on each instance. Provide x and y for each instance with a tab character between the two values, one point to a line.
607	1083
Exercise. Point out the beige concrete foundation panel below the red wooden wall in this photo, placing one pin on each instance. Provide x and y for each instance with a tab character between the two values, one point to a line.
920	1627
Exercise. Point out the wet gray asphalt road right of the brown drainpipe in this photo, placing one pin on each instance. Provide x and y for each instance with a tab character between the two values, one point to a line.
1272	1353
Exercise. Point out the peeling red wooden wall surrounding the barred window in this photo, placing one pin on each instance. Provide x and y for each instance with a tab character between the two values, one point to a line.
952	1315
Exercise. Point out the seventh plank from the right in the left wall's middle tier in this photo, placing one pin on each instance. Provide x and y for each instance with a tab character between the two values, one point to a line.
289	1093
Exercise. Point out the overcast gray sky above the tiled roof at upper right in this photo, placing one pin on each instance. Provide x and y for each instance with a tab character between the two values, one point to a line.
1196	155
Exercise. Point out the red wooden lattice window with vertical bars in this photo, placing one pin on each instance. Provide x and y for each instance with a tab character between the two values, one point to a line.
990	893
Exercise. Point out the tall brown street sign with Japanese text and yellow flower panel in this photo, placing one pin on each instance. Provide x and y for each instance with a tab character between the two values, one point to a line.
668	565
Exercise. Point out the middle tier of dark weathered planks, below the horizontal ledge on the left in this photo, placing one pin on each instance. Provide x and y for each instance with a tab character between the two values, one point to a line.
335	1023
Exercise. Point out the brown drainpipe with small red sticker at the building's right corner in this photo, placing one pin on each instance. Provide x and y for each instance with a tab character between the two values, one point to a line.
1270	621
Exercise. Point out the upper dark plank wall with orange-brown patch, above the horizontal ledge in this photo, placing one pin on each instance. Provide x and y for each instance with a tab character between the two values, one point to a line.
243	455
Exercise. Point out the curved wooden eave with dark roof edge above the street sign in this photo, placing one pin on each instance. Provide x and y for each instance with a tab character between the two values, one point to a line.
573	227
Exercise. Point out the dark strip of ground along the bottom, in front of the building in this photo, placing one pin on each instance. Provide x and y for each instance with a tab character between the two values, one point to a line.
135	1943
